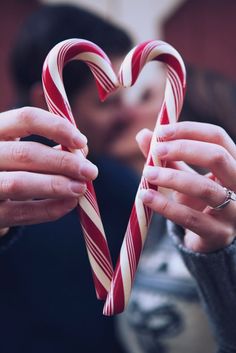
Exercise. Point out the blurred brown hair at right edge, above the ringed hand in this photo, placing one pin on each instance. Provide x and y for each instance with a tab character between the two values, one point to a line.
210	98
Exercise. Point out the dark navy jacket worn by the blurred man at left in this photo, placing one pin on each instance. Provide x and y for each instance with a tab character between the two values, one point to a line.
47	297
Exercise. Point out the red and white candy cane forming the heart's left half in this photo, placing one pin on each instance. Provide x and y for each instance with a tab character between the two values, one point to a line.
99	63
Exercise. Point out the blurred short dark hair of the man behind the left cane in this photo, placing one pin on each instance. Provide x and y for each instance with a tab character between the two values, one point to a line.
51	24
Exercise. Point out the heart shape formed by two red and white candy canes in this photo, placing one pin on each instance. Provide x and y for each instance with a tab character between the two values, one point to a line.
111	285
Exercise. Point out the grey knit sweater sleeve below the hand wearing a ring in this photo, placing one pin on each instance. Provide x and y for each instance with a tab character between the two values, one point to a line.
215	274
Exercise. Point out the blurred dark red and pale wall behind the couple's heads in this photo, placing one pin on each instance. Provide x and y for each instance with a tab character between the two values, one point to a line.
201	30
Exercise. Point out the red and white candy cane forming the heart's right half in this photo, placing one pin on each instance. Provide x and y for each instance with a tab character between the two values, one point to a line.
140	218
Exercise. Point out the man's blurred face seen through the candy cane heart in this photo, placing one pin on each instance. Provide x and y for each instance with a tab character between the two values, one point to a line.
102	123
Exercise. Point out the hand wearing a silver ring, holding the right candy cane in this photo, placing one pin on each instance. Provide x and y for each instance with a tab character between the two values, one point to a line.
204	146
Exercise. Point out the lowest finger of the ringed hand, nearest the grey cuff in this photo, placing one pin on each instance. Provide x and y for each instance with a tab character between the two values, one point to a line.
207	227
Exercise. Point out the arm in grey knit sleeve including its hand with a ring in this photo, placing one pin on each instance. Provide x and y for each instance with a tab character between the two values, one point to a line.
207	242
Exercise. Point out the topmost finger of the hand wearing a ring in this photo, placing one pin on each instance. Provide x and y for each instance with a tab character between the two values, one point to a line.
199	132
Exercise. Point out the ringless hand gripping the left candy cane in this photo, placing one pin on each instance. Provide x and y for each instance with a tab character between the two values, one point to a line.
39	183
